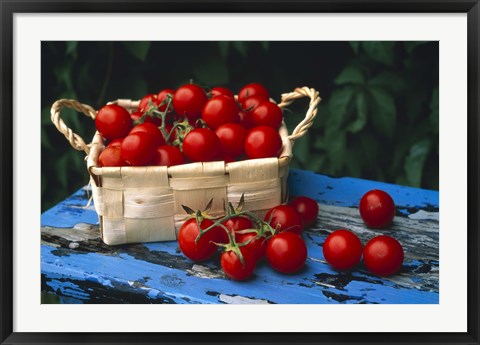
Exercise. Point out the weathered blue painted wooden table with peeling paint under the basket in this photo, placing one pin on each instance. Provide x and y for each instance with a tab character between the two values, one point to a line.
79	268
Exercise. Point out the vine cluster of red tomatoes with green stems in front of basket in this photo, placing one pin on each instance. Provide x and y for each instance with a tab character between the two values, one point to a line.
247	239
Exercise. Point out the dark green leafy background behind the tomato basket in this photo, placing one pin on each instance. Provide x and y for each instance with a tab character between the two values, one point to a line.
378	118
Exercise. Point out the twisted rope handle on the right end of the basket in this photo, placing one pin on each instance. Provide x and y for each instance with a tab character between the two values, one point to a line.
307	122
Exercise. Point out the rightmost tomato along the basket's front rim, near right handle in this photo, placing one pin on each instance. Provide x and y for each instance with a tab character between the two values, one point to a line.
263	142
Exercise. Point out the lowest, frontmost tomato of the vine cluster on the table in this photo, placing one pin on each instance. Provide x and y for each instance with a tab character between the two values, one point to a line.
233	267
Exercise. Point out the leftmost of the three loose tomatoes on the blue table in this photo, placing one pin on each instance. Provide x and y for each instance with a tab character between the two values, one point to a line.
342	249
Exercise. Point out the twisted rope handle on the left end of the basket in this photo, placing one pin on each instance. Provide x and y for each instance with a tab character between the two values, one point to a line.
74	139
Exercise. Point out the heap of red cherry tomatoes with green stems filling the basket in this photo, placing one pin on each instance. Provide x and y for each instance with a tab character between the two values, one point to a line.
191	124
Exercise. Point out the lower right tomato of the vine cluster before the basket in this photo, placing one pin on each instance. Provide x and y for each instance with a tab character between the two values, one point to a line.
286	252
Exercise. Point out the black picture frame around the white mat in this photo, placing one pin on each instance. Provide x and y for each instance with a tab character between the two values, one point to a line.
10	7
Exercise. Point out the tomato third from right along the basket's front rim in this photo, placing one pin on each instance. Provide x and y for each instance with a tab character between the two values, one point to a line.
201	145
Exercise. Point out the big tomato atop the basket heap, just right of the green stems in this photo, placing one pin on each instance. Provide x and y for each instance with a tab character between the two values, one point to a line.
189	100
